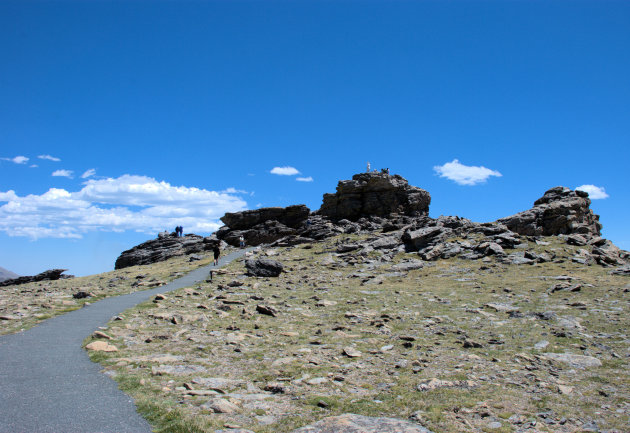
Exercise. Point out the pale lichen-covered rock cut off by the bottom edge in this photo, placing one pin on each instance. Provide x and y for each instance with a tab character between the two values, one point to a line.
351	423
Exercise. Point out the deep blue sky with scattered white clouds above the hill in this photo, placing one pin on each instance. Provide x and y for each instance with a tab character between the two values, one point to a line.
137	116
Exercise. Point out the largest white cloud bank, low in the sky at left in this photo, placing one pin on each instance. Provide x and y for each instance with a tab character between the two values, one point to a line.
126	203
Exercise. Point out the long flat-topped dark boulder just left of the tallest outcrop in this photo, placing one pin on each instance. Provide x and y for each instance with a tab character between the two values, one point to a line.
291	216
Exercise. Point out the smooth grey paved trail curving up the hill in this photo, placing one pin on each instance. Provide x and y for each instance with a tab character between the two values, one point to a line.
48	383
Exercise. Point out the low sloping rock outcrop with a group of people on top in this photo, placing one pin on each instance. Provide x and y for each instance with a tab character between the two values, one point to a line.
163	248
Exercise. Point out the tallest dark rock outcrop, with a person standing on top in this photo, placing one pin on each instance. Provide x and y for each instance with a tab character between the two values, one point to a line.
374	194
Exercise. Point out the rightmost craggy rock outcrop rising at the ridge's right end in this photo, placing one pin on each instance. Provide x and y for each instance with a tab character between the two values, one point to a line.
560	211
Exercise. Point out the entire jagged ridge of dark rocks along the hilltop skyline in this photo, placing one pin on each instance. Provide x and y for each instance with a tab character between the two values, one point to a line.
395	214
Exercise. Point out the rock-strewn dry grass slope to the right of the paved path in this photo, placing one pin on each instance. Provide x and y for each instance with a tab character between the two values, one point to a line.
408	328
